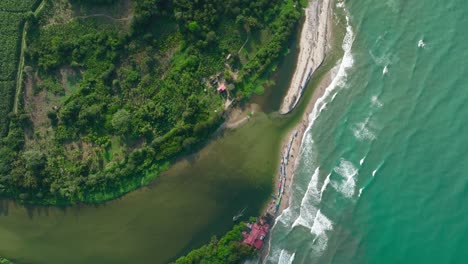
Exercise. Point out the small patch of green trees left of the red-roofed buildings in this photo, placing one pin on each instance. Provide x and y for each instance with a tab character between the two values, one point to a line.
227	250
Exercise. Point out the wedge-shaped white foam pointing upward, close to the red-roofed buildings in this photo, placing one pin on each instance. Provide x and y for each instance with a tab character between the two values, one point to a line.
308	203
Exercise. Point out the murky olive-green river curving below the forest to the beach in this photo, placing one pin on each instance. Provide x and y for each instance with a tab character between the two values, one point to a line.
195	199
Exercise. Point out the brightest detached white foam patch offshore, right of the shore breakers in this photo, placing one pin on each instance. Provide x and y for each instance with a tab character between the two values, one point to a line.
347	185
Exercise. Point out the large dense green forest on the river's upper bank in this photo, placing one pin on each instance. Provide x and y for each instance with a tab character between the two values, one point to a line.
113	93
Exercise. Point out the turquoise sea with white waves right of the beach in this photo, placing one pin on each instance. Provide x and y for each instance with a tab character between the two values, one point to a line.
383	174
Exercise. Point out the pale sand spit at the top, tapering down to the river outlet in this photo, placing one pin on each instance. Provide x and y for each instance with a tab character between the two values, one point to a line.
313	46
